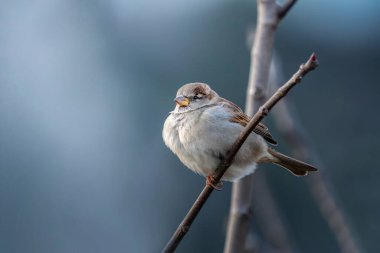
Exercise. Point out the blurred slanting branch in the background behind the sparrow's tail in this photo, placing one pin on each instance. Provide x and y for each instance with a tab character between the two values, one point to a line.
319	184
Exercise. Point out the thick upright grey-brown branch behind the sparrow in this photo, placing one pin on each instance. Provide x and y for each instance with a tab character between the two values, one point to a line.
268	18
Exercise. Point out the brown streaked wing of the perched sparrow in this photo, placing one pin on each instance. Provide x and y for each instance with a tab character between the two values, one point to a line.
241	118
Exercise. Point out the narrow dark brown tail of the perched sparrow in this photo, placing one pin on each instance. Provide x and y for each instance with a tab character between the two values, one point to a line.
298	168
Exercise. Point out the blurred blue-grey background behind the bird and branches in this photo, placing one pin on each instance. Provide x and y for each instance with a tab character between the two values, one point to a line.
85	87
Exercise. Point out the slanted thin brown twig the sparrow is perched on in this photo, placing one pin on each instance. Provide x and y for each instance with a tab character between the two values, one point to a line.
184	227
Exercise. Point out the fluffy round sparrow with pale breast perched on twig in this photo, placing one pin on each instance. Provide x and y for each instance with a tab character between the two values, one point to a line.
203	127
